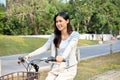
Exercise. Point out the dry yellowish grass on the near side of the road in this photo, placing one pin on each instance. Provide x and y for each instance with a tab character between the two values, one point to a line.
91	67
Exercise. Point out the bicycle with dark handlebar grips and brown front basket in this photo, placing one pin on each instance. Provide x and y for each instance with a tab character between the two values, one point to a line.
32	69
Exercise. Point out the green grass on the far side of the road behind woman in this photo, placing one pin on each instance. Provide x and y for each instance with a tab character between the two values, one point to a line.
10	45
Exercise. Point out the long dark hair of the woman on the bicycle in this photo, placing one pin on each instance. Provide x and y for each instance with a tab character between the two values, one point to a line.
57	33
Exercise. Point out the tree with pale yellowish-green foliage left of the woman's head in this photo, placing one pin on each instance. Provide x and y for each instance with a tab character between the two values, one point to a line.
26	12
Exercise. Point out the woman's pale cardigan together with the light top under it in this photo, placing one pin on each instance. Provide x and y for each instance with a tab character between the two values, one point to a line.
67	48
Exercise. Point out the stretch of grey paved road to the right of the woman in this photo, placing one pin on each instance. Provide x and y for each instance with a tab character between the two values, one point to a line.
100	49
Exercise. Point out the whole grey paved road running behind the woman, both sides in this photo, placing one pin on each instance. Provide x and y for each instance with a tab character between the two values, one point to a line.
9	63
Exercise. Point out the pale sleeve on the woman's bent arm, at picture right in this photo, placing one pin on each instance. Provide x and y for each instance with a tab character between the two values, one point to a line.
72	44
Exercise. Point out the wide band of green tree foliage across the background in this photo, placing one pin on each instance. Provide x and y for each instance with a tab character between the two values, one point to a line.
87	16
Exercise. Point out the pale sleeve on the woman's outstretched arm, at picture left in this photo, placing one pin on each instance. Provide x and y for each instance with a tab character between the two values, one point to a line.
44	48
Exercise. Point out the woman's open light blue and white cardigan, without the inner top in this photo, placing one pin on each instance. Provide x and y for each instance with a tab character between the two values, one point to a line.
70	50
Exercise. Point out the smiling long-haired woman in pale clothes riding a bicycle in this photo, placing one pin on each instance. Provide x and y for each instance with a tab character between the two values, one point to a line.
63	44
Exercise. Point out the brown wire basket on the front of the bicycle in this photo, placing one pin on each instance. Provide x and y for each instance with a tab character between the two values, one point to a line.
21	76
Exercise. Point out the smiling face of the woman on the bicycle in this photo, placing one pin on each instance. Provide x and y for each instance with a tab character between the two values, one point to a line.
61	23
